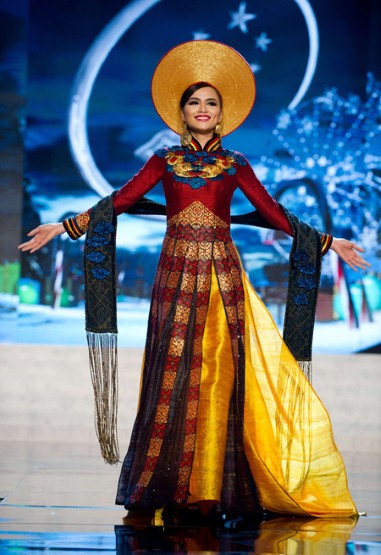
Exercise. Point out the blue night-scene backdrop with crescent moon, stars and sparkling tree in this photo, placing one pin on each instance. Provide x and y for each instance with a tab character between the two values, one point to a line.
89	124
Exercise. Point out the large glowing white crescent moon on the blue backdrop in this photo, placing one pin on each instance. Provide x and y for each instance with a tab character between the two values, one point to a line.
96	56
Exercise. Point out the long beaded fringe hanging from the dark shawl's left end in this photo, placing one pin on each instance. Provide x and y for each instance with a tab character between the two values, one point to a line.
104	376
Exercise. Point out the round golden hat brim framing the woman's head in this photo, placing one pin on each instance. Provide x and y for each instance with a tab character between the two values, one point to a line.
203	60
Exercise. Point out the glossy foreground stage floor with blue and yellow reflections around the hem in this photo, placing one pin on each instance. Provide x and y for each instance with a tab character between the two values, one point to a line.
59	498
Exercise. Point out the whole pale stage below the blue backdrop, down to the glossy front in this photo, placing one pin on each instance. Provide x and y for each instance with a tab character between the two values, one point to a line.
58	495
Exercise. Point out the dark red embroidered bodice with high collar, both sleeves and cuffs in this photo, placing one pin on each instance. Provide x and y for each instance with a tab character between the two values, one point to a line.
206	176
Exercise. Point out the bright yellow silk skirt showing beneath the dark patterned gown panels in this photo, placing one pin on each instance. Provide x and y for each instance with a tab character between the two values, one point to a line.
288	437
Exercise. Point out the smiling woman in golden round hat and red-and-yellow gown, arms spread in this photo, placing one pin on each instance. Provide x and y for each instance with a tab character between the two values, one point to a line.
226	417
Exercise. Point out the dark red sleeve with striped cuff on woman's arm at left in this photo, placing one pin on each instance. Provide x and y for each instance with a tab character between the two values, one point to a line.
149	175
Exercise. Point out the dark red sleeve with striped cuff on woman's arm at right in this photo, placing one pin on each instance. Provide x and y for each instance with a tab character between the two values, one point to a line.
265	203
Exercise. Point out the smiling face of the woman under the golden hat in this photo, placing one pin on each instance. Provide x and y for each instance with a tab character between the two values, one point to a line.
202	111
